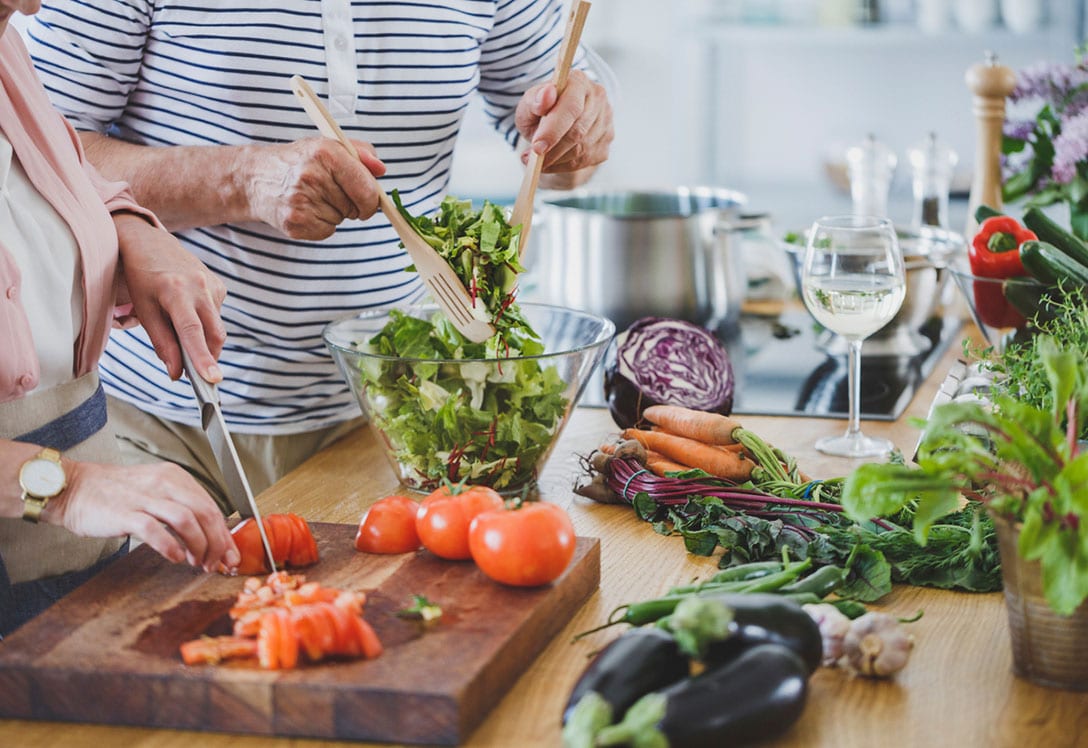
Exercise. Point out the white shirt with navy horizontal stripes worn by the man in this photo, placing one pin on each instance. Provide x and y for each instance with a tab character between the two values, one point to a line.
399	74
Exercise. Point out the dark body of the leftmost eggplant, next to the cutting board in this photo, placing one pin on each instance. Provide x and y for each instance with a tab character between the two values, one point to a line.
639	662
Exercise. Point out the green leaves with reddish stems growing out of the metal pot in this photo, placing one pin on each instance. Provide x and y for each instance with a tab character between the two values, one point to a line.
1022	459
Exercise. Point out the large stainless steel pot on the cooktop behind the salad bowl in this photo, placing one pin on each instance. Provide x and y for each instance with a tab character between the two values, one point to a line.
627	255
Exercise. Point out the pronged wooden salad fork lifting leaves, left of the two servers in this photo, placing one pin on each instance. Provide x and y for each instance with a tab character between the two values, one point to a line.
440	279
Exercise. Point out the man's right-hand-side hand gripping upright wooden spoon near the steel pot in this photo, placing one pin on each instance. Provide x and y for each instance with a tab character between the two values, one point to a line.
574	131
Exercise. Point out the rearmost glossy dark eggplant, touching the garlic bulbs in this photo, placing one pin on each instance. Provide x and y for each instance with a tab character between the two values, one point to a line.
768	619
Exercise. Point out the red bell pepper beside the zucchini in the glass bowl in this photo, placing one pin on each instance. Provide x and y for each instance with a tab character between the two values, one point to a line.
994	254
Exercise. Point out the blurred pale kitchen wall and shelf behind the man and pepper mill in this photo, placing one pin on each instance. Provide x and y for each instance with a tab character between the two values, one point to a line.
765	96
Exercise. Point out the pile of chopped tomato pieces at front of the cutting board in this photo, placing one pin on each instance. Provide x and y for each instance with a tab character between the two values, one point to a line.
286	619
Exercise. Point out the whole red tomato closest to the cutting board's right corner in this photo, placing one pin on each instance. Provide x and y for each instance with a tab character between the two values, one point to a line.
524	547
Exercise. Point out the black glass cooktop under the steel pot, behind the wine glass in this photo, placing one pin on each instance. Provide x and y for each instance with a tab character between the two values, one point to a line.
788	366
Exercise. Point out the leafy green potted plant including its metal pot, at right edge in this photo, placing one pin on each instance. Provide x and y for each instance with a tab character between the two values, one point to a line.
1025	457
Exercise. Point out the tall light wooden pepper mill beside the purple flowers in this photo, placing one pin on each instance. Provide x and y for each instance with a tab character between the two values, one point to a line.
991	83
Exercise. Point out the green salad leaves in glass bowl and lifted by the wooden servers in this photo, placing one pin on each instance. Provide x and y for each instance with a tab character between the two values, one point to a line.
451	409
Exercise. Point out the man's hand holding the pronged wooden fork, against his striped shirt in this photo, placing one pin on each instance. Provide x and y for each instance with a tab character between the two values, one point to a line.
306	189
